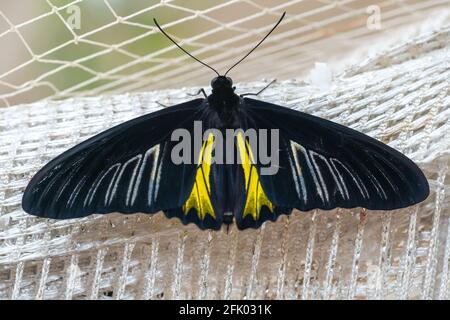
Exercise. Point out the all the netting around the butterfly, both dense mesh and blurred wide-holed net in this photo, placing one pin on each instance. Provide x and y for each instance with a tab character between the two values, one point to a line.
395	89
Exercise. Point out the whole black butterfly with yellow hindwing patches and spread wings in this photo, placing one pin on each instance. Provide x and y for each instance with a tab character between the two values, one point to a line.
129	168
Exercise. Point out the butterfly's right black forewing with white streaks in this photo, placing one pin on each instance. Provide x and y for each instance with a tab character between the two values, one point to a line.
324	165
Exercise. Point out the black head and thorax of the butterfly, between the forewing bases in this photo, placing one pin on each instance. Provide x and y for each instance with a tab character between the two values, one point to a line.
224	101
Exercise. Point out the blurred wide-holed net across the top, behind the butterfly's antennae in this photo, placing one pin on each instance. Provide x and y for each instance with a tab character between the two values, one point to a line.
116	48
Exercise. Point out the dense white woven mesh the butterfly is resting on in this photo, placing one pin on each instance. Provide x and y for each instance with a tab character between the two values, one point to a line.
339	254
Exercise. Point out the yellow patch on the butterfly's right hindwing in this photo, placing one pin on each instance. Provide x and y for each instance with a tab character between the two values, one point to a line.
256	197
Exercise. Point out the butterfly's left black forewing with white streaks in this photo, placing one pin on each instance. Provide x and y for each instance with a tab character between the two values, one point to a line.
124	169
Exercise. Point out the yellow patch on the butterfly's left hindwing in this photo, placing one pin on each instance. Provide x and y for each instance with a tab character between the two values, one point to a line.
200	194
